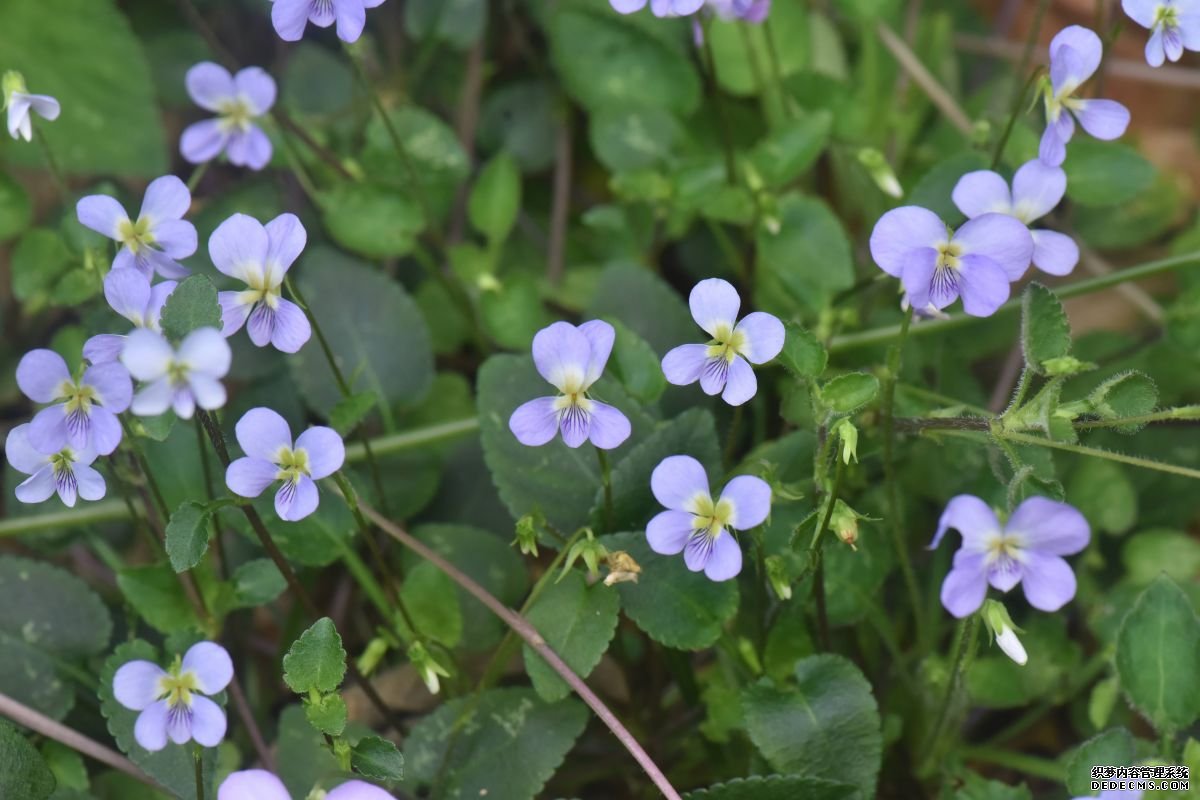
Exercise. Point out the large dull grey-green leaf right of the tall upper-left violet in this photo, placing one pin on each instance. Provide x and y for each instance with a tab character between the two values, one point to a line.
374	328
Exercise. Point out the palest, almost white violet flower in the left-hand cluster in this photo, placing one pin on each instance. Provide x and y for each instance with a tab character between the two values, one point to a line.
179	380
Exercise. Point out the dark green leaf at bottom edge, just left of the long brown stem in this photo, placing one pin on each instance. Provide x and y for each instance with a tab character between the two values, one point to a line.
508	745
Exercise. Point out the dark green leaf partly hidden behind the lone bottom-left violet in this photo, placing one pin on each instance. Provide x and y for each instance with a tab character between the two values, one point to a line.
173	766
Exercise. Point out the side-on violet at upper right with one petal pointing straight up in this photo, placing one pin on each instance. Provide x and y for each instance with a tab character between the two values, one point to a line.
1075	57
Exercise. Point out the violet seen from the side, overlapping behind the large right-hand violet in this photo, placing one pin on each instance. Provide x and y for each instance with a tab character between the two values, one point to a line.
1037	190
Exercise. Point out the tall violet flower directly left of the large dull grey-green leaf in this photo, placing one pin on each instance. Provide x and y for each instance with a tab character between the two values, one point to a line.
260	256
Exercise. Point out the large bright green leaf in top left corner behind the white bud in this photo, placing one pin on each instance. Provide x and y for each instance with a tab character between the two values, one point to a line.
91	61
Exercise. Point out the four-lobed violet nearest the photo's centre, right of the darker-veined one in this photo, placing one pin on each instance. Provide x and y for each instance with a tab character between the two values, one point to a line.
723	365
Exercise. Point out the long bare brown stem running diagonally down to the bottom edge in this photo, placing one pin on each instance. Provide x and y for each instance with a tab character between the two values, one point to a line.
531	636
